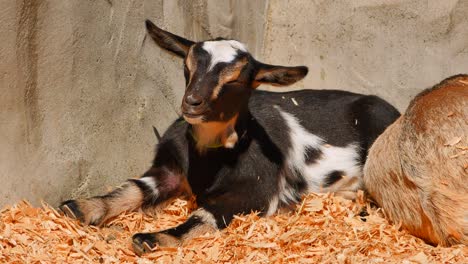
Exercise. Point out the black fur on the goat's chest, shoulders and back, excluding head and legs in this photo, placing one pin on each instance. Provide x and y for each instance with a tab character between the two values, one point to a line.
243	179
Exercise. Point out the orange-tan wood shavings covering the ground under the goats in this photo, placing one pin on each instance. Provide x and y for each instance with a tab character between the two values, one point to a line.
322	229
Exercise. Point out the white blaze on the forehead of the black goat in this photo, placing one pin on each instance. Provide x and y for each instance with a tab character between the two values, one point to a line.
222	51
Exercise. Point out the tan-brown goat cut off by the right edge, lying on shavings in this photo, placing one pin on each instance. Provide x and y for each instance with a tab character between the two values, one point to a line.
417	170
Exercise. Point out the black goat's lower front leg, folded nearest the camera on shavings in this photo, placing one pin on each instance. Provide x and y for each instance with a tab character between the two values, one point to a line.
216	213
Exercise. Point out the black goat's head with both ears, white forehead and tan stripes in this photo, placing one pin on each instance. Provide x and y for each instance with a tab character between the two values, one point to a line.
220	75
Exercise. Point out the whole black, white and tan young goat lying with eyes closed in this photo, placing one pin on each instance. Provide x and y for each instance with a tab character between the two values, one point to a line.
240	150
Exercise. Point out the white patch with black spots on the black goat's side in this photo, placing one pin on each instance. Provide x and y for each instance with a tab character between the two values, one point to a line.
332	158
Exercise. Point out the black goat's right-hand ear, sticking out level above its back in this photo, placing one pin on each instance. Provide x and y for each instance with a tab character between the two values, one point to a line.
279	75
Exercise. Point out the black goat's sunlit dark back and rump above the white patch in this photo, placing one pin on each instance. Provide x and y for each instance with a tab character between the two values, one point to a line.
338	117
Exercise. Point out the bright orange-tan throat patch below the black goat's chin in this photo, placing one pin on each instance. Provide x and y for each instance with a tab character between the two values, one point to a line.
209	133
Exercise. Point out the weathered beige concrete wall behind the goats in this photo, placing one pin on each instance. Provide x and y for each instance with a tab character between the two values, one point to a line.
81	84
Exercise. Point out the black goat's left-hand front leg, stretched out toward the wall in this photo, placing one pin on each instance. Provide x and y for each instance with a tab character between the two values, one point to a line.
156	186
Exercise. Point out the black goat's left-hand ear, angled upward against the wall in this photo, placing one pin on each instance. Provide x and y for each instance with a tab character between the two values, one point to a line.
169	41
